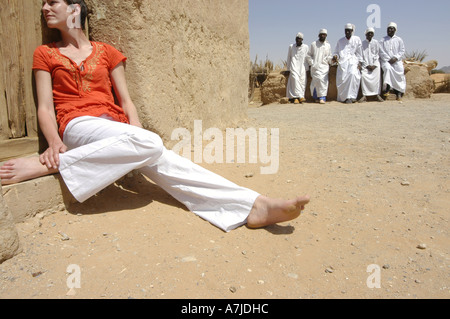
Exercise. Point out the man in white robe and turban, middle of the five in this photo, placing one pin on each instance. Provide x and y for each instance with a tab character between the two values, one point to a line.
348	54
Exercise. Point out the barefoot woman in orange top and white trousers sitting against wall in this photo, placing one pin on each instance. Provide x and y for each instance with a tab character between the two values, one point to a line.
93	142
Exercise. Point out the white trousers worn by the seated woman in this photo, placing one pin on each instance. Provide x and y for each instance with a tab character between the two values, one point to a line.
102	151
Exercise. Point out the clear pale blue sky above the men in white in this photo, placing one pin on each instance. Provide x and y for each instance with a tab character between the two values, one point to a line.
273	24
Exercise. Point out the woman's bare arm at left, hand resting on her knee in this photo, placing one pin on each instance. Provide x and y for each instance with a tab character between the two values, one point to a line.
47	120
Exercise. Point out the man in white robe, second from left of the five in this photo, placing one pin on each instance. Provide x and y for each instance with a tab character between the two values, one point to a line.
319	58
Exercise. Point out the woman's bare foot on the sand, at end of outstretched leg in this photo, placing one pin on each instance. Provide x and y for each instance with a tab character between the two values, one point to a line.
268	211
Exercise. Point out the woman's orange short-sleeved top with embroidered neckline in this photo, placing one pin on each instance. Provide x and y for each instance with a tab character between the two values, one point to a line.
81	90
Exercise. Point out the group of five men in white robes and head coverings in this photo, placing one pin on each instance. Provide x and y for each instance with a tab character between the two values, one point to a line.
359	66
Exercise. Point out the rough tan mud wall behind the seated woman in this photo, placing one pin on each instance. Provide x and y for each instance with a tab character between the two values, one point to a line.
187	59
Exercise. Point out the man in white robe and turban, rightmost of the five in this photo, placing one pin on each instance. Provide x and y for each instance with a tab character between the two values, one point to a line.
392	50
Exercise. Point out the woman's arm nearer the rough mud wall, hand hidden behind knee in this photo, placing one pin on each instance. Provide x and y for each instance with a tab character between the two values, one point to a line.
121	90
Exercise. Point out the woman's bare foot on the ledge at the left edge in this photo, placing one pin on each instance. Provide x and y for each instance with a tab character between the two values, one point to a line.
23	169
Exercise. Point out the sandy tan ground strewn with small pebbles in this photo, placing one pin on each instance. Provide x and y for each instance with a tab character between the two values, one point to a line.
378	175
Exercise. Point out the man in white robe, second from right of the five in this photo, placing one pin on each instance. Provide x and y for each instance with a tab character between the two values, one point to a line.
370	67
